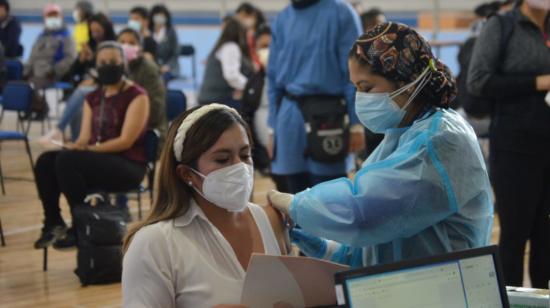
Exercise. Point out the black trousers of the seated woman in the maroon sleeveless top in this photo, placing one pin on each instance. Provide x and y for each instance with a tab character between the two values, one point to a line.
76	173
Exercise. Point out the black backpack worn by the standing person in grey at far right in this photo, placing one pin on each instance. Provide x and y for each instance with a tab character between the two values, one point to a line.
475	106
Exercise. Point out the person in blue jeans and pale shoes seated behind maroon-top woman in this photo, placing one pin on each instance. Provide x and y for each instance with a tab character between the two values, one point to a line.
83	76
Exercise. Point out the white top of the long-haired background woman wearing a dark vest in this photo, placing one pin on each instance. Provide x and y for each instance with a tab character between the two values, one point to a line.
230	56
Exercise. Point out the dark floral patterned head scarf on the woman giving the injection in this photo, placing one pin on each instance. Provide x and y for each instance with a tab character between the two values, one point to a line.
399	53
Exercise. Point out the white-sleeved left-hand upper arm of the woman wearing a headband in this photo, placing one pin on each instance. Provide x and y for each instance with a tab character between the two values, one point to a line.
146	272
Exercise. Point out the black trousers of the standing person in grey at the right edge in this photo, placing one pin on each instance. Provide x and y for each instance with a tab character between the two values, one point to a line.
522	189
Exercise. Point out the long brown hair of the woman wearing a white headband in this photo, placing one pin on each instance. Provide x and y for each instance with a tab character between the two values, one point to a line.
173	195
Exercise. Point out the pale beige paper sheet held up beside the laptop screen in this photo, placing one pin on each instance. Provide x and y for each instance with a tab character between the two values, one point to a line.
289	282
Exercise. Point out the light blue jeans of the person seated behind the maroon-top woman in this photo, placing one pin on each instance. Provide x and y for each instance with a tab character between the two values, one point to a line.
73	110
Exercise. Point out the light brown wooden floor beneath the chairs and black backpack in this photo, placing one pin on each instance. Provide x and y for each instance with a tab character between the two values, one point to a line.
22	281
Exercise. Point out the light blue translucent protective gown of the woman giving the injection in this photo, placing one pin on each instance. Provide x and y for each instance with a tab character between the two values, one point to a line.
423	191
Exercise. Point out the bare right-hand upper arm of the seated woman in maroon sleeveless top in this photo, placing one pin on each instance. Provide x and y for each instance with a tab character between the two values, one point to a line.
136	118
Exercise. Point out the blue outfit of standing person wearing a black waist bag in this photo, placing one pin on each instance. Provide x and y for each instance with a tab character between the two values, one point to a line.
308	55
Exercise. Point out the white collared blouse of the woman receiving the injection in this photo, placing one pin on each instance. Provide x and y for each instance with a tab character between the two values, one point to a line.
186	262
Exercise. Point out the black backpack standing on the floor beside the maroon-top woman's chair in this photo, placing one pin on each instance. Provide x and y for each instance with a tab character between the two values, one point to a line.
100	231
